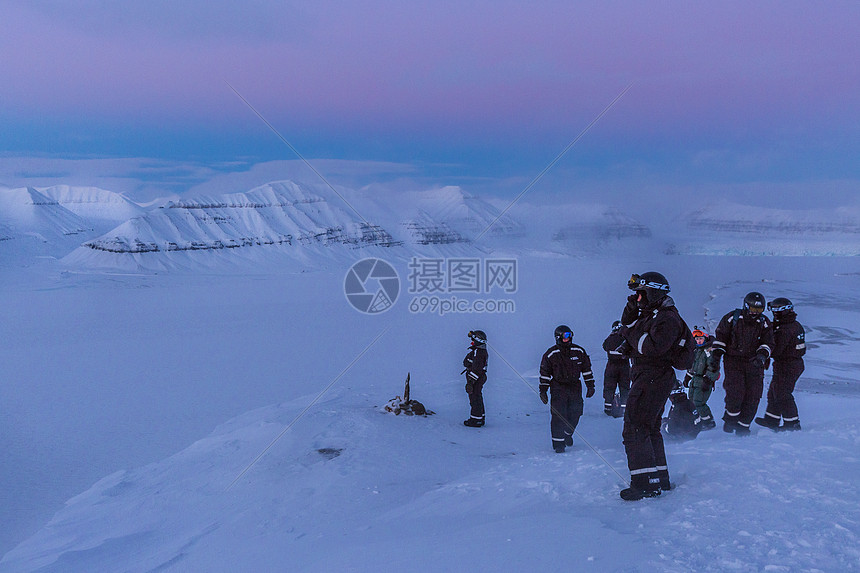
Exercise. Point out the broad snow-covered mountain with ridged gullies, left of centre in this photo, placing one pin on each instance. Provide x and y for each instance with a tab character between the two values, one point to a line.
286	215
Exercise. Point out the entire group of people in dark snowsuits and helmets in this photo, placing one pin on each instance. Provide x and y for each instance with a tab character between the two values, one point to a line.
655	339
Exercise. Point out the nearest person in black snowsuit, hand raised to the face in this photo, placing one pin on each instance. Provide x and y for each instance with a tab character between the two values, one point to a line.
652	329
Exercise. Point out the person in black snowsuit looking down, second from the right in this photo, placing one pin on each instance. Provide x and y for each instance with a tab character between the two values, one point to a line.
745	337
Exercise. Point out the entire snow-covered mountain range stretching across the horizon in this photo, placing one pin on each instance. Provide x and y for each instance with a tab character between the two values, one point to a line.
302	225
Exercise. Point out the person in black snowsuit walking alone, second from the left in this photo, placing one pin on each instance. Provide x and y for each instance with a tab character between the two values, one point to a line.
560	369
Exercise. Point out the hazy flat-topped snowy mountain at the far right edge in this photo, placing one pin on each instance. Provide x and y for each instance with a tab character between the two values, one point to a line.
732	229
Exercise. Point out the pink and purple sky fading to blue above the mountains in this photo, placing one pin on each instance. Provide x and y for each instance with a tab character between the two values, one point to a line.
732	95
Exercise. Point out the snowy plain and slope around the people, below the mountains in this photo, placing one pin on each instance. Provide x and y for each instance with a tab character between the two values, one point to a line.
137	405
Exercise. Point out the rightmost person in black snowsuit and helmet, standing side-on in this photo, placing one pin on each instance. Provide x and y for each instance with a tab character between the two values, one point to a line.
788	350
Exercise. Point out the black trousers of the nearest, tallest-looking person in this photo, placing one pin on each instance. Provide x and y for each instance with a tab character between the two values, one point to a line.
643	443
